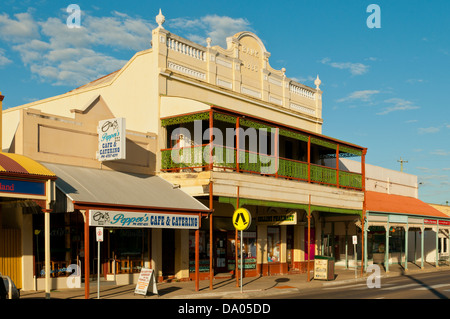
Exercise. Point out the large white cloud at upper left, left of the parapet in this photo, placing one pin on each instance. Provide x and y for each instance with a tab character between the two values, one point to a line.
73	57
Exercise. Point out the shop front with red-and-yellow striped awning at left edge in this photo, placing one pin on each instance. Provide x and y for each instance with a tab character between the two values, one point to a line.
26	191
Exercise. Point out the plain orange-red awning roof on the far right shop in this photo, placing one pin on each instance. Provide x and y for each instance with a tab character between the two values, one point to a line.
389	203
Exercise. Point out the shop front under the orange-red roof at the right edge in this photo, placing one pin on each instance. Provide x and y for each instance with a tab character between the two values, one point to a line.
402	230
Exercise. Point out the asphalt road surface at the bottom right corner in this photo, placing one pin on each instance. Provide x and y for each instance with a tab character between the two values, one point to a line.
418	286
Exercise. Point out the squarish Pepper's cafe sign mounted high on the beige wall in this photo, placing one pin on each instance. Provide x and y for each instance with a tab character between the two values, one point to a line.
111	139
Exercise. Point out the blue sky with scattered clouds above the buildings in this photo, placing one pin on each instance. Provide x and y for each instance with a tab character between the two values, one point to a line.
385	88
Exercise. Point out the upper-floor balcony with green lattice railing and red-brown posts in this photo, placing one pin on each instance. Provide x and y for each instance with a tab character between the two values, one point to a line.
289	154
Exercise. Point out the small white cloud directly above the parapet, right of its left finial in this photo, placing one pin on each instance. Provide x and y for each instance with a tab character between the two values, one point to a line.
218	28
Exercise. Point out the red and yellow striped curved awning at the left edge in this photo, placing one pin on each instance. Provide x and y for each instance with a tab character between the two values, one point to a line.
16	164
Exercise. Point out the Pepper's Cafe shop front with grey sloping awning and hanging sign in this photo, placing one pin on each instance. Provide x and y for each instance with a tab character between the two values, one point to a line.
146	223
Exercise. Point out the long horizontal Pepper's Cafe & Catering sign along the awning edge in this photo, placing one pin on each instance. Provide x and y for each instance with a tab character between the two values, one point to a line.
110	218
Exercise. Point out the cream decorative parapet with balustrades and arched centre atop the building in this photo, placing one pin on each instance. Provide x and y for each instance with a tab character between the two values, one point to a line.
243	67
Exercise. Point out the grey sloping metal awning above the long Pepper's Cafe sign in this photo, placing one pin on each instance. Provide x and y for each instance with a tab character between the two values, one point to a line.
95	187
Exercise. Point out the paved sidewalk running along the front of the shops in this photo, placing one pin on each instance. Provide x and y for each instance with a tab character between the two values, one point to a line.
253	287
